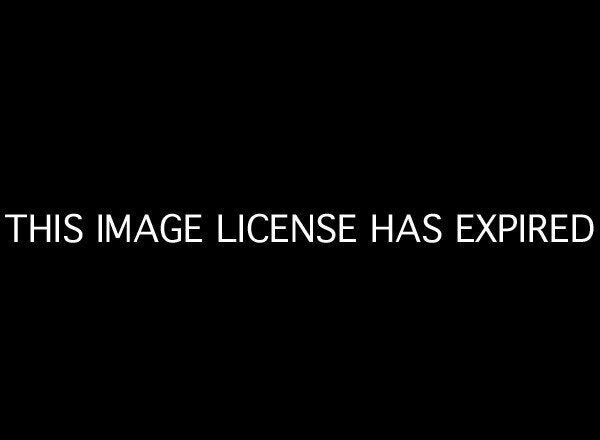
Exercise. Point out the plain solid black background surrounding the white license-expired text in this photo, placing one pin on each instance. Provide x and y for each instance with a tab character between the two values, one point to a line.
381	113
